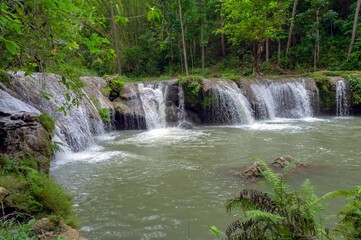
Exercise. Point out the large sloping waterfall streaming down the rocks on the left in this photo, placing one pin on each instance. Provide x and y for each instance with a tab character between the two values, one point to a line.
77	128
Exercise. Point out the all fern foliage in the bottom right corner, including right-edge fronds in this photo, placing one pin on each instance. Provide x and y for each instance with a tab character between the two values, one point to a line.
284	213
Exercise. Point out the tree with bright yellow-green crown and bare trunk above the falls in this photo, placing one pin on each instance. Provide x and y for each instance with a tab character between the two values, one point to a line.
253	22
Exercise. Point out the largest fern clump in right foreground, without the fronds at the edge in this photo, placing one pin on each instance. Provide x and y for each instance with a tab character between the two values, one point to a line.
280	214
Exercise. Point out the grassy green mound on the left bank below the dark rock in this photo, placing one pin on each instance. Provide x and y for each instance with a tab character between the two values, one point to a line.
33	193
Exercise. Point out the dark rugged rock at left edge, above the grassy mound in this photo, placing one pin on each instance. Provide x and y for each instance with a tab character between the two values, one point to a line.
24	139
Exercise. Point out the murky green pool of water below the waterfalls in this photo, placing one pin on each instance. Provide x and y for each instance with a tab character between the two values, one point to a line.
173	183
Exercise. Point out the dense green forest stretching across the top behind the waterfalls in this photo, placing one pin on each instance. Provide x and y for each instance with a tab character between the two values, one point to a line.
155	37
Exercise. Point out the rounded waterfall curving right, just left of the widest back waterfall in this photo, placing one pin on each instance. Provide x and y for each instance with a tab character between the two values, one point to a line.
229	105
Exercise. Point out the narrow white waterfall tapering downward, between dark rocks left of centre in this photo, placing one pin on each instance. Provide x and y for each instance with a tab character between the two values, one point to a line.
153	98
